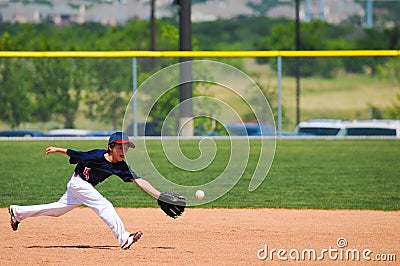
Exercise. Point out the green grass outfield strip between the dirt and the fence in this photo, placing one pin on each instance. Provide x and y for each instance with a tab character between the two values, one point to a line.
317	174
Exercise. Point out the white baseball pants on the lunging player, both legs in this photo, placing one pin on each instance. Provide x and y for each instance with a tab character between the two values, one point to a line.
78	192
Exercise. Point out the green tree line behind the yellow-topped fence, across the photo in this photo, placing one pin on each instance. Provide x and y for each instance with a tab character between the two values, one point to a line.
41	90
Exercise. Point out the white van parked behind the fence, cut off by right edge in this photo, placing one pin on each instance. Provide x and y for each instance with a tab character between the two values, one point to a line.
383	127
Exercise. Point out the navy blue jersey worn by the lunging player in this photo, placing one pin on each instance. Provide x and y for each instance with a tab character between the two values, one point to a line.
94	168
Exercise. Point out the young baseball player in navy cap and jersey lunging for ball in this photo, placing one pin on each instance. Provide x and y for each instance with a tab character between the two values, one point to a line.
93	167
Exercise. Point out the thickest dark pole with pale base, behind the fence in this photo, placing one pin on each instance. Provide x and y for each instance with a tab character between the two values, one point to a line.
185	70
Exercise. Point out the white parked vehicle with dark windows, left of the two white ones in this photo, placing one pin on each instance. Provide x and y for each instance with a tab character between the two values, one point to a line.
320	127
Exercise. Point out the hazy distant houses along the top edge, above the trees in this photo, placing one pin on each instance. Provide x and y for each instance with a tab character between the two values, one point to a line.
120	11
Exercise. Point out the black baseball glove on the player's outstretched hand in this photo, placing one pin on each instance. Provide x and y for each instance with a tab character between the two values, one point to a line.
172	204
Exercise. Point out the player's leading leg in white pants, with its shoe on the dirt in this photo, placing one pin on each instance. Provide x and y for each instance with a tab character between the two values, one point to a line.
90	197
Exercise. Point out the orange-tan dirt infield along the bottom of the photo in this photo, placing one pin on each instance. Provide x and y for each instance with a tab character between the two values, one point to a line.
206	237
